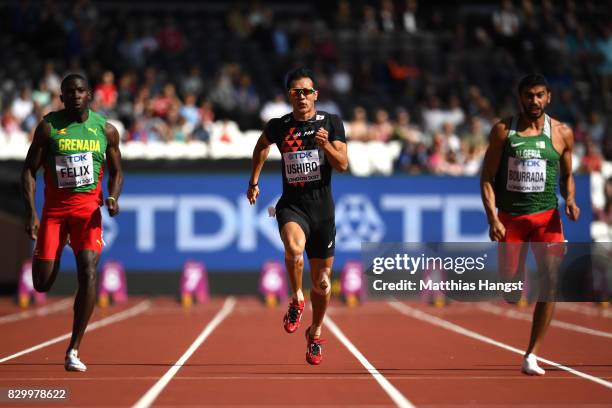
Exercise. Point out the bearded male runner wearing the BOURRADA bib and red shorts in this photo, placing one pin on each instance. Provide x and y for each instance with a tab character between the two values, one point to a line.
519	177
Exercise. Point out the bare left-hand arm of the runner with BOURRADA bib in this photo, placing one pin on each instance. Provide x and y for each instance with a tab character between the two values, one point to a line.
493	156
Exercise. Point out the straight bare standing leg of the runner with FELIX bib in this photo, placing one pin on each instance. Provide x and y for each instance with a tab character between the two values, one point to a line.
85	300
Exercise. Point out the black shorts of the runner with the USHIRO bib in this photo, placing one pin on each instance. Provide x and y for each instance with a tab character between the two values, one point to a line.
317	219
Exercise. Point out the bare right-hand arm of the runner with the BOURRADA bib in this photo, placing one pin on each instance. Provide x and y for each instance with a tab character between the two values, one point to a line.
566	178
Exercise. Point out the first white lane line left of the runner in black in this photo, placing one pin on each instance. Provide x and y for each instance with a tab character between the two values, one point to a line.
149	397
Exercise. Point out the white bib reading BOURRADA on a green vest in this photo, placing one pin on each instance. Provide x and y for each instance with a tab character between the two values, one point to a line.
526	175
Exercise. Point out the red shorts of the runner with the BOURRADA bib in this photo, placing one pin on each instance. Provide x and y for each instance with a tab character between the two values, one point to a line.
543	227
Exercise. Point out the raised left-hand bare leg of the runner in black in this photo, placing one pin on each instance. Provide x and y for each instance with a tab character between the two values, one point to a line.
294	240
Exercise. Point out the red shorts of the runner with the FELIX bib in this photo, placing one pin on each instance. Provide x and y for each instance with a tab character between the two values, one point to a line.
83	225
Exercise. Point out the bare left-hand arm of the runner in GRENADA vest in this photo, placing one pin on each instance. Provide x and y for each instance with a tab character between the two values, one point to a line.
34	159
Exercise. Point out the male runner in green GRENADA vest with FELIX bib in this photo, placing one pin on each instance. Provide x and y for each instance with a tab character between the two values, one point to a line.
71	146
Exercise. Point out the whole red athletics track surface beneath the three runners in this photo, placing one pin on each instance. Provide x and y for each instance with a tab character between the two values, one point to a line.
246	359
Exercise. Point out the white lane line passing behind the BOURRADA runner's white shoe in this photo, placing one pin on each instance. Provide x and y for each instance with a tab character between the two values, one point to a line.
436	321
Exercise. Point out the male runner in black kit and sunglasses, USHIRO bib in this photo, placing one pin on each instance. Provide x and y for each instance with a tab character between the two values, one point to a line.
311	143
